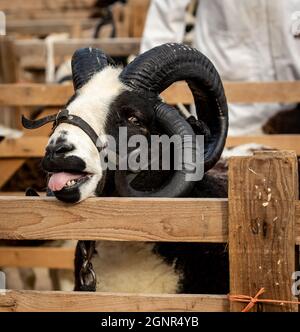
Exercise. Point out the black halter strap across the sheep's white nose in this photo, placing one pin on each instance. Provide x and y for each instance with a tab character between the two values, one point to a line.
63	116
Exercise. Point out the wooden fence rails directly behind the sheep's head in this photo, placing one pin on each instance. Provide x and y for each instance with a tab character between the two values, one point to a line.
14	152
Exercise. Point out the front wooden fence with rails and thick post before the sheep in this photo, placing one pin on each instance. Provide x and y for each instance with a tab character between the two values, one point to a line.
260	221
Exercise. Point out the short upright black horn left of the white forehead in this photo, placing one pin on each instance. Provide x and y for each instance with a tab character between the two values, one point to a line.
86	62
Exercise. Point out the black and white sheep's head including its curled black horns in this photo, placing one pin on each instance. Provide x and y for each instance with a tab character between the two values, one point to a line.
108	98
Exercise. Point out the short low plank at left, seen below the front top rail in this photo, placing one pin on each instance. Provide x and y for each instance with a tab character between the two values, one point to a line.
48	257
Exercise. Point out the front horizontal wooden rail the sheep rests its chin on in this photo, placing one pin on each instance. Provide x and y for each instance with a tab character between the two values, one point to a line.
128	219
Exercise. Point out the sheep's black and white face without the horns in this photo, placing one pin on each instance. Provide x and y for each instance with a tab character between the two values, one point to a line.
72	159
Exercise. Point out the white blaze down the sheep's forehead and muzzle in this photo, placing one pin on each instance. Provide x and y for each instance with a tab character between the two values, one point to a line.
92	104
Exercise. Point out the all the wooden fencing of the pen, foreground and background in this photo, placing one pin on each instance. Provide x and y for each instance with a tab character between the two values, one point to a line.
260	220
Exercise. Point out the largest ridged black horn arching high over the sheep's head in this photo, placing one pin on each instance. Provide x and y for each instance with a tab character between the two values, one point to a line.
154	71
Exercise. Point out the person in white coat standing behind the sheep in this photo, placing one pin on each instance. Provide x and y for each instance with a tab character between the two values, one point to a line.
246	40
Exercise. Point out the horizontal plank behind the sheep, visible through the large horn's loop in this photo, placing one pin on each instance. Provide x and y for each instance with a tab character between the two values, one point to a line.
30	94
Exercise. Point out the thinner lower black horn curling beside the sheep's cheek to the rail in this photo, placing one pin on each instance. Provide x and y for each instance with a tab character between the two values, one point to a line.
173	124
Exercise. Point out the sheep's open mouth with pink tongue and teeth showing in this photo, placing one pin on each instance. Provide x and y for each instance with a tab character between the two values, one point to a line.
67	181
